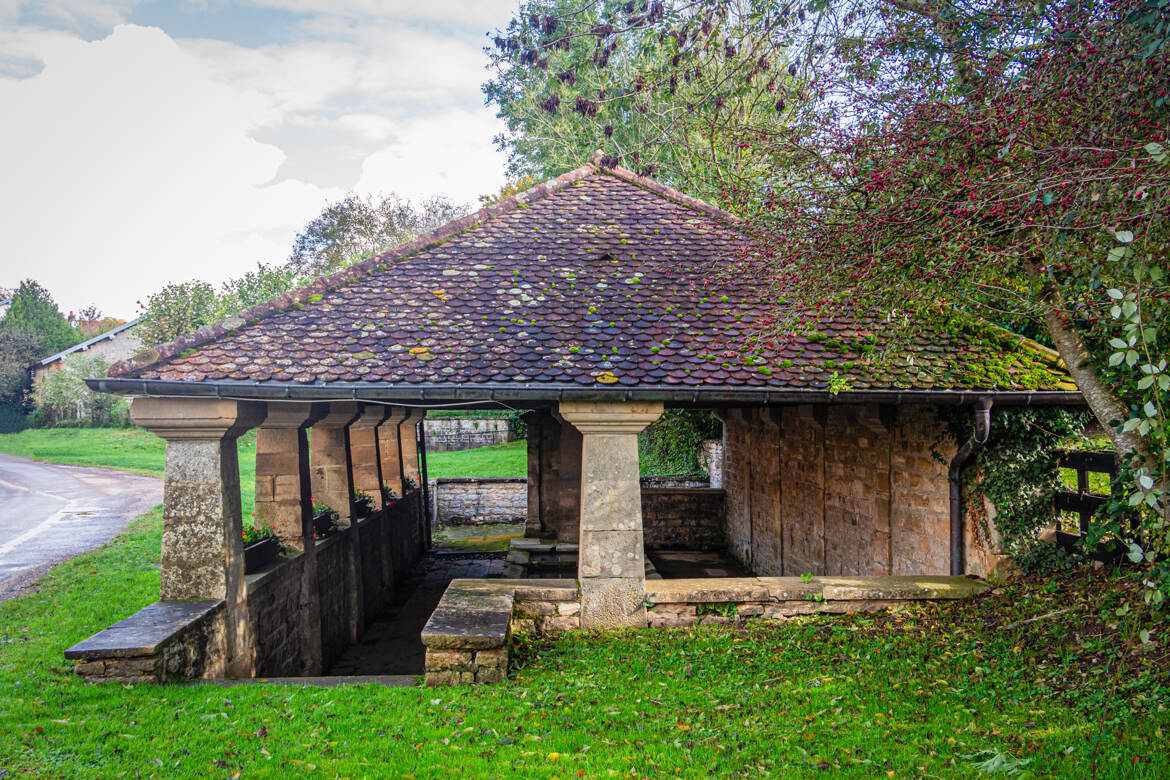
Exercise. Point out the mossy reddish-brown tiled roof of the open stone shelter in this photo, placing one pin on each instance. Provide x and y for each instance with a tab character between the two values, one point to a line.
597	279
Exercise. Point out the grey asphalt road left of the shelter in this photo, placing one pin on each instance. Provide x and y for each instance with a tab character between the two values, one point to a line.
50	513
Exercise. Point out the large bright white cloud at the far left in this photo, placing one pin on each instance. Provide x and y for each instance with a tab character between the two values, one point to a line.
129	168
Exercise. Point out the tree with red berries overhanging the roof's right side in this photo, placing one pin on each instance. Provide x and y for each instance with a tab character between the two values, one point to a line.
1001	157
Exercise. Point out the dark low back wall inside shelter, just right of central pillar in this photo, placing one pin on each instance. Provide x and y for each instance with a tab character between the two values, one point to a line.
684	519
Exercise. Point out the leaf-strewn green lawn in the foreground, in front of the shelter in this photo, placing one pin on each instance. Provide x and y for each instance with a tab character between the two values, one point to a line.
932	692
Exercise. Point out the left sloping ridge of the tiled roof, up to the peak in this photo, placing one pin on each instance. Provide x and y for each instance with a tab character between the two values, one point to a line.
163	353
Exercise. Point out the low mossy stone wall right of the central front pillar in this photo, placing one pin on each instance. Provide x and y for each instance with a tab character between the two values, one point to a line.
685	603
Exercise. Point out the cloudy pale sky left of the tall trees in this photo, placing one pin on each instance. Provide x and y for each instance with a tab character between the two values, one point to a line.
146	142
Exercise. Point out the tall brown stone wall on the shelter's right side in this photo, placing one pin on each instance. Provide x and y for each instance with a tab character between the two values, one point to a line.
843	489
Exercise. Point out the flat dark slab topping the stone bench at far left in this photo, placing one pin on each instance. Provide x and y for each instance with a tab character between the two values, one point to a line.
144	632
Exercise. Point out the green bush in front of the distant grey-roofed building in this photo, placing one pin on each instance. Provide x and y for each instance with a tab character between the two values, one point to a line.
64	399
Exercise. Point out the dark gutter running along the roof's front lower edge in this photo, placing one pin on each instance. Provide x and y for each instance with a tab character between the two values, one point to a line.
439	395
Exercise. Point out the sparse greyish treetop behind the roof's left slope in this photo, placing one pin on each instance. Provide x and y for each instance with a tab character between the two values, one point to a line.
357	227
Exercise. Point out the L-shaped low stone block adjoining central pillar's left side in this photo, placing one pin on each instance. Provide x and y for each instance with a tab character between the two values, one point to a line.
469	637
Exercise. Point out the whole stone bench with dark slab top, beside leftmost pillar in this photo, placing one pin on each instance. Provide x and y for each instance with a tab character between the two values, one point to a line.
163	641
